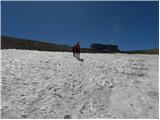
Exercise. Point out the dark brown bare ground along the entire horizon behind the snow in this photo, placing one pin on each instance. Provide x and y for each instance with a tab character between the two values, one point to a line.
18	43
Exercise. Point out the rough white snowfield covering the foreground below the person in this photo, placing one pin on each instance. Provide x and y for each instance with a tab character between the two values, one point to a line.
38	84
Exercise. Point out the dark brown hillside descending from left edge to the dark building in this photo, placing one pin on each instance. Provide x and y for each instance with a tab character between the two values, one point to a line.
18	43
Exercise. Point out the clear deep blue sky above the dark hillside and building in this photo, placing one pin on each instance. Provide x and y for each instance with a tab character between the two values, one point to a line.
130	25
